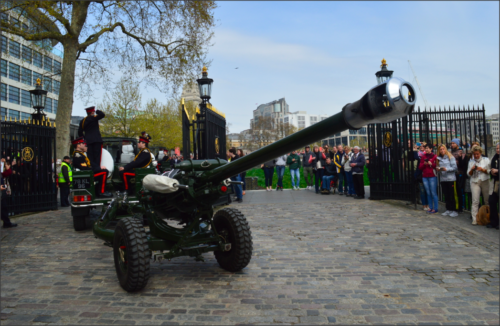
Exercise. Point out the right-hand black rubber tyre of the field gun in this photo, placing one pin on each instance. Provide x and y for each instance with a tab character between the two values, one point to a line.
238	234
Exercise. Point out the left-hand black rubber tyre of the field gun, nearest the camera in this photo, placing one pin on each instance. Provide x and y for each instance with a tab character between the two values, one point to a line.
130	233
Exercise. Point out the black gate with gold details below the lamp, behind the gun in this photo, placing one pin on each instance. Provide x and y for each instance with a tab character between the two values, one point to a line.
207	133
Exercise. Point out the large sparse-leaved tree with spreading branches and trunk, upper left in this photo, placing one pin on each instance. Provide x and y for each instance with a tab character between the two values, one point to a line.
162	42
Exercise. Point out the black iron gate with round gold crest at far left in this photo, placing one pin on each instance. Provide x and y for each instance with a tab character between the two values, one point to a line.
30	148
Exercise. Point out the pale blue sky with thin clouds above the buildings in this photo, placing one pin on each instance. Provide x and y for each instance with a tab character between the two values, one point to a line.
323	55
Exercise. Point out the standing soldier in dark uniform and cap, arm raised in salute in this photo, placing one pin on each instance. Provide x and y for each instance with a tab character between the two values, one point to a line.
89	129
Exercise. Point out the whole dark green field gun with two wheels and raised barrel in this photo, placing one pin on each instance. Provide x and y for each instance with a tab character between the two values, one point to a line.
185	197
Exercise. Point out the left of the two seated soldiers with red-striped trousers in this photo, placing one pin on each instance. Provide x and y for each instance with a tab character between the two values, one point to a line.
82	162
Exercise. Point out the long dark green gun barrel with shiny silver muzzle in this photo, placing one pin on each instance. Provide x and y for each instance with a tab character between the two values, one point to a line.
383	103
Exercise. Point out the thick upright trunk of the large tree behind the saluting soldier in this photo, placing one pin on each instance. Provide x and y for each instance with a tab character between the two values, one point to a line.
65	105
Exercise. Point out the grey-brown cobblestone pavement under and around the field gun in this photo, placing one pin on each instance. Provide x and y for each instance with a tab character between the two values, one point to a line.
333	262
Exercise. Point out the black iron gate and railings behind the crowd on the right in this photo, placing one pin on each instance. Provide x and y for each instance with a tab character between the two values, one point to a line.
392	166
